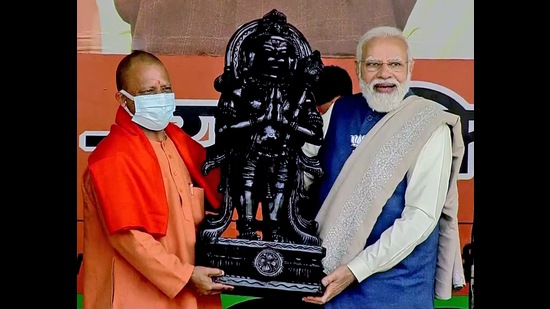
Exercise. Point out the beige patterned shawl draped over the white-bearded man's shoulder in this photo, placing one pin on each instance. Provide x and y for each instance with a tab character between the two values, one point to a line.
369	177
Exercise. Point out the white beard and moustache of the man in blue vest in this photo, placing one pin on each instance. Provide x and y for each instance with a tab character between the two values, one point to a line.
384	102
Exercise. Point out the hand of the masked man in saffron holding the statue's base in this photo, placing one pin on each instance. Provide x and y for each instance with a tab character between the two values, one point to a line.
204	283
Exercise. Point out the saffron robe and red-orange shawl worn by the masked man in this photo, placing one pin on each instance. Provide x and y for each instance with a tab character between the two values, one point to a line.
130	262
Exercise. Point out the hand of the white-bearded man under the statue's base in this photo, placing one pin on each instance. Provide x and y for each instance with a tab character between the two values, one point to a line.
334	284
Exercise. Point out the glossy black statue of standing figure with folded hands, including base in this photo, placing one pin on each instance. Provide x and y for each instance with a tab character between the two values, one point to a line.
265	114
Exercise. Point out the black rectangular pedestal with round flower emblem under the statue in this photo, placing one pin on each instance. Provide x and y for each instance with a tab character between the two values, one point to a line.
263	268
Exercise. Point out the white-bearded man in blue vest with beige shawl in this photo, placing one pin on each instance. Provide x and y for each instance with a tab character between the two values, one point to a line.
388	198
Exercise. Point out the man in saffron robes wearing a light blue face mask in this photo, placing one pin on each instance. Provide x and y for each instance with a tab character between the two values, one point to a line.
143	200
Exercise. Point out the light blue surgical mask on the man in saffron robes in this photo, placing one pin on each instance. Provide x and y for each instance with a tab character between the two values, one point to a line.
153	111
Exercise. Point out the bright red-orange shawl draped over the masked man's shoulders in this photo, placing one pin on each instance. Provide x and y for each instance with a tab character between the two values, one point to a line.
128	180
